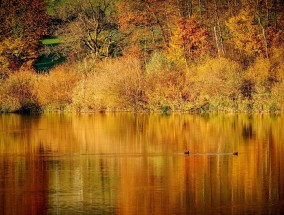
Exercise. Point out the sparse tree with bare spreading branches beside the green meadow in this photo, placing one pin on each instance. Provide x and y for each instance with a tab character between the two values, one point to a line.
87	28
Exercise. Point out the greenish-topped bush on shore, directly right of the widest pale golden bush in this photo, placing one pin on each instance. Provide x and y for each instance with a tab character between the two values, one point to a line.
164	84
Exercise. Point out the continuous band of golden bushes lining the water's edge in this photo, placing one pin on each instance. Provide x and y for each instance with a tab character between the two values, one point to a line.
160	85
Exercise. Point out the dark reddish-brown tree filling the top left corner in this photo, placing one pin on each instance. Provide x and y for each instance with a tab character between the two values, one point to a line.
23	23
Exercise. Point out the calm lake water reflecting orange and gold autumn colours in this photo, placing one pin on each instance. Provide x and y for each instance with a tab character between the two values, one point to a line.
129	163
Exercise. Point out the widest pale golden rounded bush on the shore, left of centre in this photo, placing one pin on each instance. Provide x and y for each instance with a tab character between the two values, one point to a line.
115	84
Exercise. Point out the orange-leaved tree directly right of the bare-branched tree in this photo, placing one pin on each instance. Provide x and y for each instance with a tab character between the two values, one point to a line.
147	24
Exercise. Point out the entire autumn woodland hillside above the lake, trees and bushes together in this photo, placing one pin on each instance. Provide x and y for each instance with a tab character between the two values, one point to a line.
142	55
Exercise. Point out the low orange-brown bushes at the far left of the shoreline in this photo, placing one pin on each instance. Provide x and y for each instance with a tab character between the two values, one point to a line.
29	91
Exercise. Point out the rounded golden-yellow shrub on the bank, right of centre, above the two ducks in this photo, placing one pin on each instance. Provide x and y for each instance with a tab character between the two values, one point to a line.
218	81
